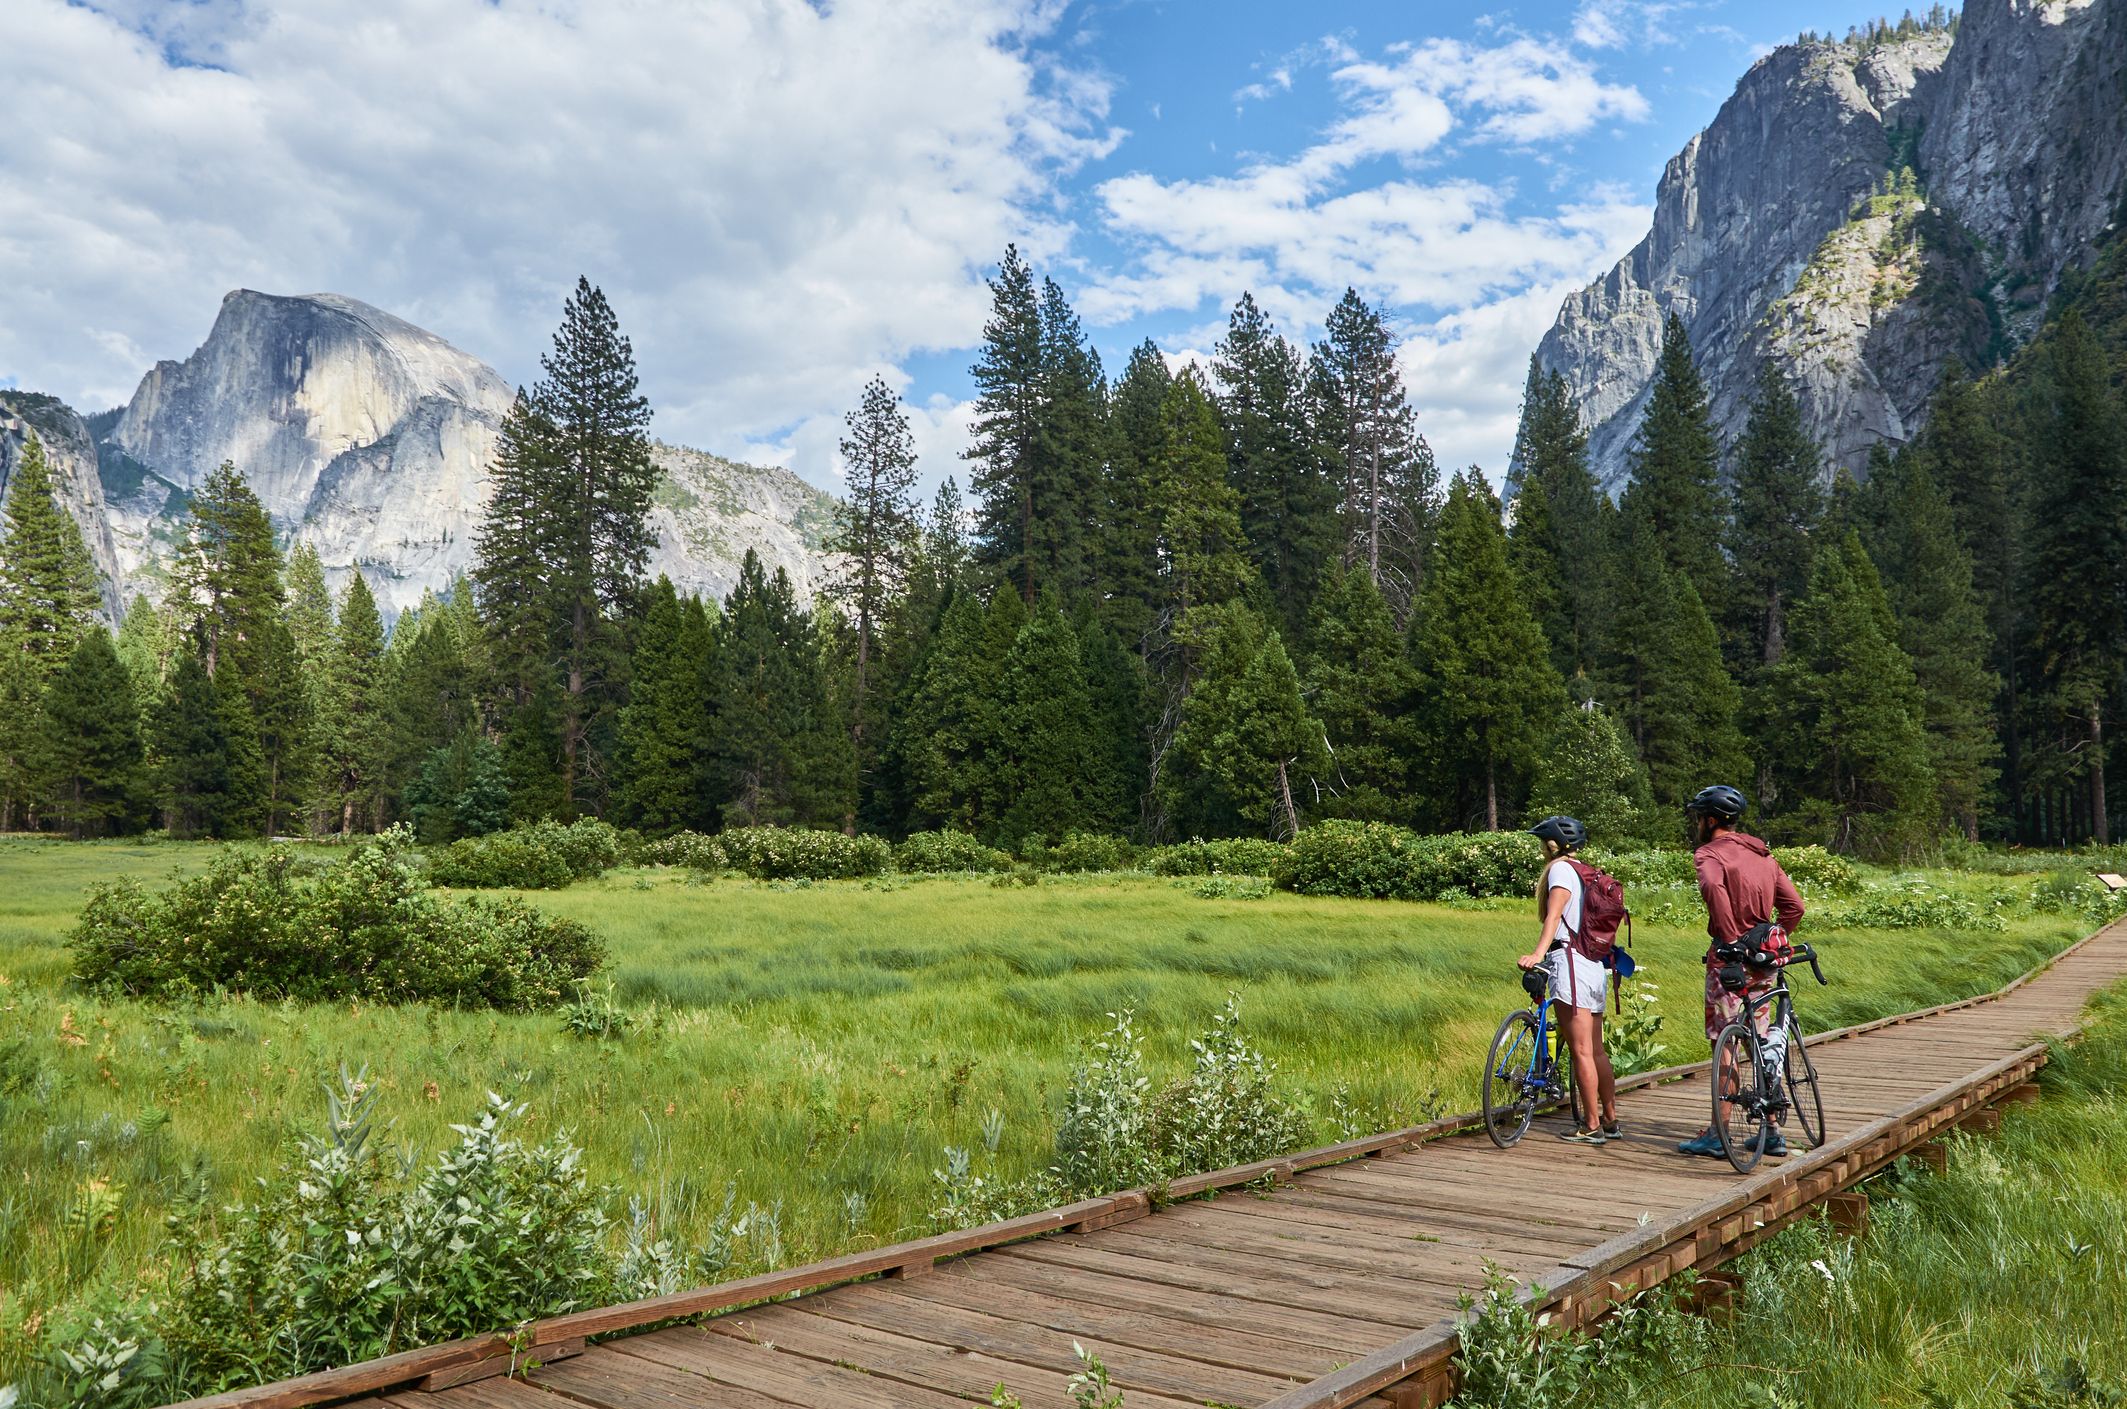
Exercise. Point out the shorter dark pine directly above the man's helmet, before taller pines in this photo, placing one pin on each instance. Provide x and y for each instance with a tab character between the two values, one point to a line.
1664	674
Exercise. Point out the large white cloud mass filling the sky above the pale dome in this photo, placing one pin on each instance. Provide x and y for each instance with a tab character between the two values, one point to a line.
777	197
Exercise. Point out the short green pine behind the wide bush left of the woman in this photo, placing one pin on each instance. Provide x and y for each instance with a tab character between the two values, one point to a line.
1362	686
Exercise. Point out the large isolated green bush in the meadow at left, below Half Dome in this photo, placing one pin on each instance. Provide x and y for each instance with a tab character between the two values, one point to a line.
369	929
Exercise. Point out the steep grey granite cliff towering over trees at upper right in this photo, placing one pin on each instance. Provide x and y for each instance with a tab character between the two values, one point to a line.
1788	231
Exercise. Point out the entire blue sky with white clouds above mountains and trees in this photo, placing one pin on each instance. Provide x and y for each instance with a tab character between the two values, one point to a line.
784	199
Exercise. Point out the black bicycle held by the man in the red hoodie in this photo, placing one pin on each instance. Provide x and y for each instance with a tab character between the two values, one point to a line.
1758	1082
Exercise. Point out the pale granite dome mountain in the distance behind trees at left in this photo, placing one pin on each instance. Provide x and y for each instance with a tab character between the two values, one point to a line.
371	440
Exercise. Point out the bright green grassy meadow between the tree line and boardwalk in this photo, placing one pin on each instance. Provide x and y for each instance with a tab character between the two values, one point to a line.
811	1046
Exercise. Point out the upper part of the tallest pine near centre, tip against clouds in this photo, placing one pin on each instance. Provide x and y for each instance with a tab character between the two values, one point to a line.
1007	433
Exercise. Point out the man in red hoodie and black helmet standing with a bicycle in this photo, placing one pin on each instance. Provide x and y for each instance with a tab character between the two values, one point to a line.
1743	889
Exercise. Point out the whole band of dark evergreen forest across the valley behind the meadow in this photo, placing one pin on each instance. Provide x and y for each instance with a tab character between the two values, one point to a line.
1175	601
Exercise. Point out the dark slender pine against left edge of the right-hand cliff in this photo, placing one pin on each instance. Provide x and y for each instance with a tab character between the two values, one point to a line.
1560	540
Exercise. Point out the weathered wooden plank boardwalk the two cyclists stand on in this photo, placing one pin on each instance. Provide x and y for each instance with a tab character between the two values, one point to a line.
1335	1289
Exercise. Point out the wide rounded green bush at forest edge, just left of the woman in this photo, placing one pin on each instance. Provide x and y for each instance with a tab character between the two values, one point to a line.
1379	861
